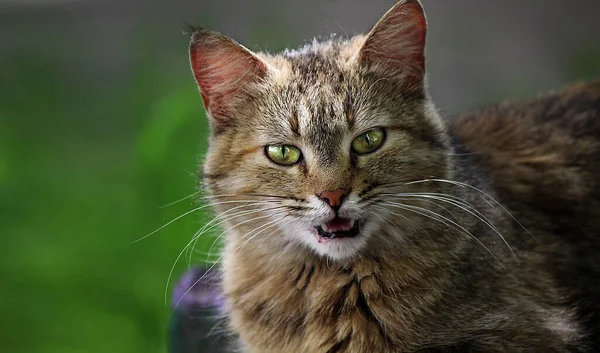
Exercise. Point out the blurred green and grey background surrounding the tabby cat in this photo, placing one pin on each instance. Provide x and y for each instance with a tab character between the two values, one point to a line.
101	124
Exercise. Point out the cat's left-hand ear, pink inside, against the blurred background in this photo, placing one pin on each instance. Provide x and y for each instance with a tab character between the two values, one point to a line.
224	71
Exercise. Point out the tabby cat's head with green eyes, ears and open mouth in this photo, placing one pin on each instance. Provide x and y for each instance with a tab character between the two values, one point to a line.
306	144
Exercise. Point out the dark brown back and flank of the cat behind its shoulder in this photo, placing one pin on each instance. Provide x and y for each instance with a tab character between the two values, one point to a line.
542	158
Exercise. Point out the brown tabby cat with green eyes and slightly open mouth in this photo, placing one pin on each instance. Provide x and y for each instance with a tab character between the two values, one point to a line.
357	220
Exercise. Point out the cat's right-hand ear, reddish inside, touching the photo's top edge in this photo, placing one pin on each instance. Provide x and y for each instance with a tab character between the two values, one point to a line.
396	45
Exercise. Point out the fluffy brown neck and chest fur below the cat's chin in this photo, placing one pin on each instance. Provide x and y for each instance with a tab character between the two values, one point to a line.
322	304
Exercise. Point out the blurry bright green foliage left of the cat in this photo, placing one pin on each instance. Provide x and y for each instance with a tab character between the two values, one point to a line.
84	169
